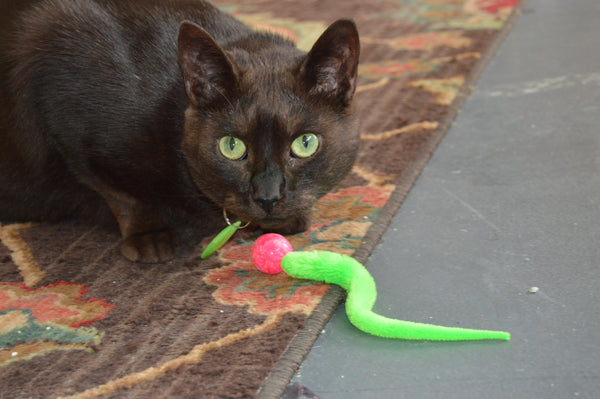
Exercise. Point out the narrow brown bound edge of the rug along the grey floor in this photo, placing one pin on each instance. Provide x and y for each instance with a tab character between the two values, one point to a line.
292	357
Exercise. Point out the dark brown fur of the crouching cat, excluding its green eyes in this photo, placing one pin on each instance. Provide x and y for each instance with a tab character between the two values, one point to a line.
120	101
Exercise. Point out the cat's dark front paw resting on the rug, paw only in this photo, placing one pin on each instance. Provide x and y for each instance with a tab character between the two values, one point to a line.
151	247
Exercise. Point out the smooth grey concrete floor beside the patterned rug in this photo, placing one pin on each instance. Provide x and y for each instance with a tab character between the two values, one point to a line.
510	200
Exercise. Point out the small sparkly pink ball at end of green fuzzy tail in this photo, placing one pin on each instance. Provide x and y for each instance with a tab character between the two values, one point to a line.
267	252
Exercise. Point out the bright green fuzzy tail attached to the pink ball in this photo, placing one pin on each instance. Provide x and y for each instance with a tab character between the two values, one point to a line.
333	268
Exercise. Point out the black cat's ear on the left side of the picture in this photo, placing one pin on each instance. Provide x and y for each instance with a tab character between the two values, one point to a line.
208	73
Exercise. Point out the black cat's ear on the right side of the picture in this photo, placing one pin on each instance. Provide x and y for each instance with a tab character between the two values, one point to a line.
331	66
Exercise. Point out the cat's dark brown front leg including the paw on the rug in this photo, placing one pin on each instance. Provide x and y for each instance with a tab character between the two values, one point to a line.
146	234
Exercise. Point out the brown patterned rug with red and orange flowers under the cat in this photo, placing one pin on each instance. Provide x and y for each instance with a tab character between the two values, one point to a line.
79	321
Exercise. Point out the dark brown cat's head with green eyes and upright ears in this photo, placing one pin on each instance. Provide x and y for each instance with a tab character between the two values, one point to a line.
270	129
